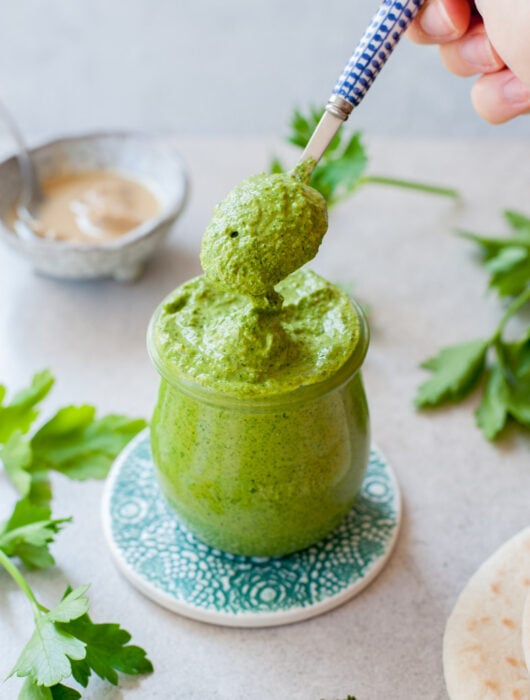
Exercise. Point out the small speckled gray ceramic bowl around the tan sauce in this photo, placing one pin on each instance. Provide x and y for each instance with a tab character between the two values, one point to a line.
152	160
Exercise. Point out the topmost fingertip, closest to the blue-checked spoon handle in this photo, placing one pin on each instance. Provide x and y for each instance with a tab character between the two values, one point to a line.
440	21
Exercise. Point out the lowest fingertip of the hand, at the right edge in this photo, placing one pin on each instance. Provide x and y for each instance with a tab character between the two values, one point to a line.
499	97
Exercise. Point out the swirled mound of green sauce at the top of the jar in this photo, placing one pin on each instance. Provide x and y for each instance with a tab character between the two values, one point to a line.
228	343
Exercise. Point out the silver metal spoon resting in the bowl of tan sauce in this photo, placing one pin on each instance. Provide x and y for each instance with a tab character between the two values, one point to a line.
30	192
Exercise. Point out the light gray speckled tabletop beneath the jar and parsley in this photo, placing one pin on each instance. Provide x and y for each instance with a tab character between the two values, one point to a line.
462	496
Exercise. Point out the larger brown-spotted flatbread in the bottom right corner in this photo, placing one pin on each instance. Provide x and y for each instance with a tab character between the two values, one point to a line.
483	648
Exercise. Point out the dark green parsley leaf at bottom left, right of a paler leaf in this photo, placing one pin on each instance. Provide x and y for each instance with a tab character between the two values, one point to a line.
107	651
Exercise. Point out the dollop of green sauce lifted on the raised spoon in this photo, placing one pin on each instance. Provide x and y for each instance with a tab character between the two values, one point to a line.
265	229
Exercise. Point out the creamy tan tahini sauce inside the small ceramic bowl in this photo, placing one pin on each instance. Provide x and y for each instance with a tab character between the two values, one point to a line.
95	206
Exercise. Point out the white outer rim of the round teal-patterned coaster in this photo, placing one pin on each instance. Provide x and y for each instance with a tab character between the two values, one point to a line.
246	619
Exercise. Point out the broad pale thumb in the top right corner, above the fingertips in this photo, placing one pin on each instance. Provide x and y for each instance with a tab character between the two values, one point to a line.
507	24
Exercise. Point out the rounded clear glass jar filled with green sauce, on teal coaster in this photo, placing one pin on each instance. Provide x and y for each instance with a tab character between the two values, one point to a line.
261	476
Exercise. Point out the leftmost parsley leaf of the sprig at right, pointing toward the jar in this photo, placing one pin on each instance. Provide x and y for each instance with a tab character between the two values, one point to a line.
456	370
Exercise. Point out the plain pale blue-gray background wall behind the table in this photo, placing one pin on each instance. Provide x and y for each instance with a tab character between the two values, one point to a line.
214	67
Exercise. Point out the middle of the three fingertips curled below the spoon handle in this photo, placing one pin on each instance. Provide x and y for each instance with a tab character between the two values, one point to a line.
472	54
